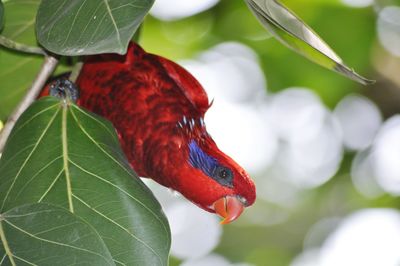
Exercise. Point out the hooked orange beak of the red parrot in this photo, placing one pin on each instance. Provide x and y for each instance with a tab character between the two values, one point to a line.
229	208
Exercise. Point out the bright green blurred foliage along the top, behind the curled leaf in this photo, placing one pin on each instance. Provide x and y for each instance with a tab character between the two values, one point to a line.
353	43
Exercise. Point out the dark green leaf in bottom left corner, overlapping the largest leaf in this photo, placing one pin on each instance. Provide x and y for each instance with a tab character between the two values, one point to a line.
43	234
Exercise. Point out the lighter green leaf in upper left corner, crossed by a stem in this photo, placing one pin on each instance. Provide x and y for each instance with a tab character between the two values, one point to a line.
17	70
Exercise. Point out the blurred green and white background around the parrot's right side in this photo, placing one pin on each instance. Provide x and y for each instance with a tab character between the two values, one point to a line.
323	150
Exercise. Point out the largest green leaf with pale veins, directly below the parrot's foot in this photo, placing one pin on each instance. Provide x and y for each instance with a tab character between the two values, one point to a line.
60	154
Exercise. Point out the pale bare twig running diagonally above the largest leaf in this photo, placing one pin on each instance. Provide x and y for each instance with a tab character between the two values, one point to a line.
48	67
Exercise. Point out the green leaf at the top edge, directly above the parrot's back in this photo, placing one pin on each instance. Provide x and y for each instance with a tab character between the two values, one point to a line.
89	27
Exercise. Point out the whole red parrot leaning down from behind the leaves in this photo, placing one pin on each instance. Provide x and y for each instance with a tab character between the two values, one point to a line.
158	110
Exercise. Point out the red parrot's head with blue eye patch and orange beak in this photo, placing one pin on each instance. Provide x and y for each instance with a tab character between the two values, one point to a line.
210	178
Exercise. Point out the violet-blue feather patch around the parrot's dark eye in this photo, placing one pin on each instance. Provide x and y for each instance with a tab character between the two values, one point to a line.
209	165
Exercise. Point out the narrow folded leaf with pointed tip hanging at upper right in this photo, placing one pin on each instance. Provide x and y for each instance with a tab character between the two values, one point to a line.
294	33
